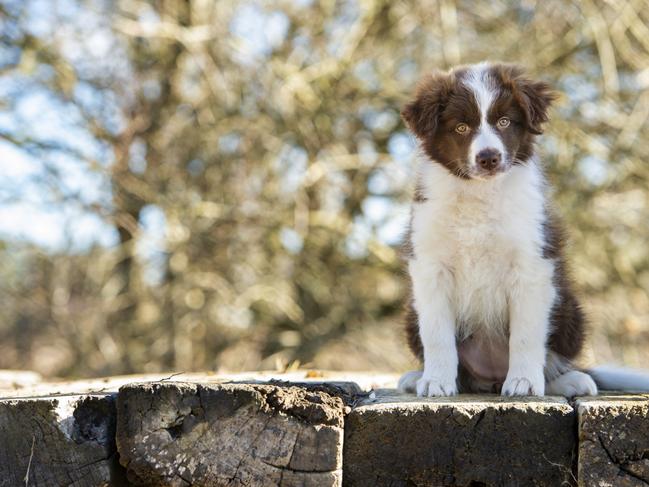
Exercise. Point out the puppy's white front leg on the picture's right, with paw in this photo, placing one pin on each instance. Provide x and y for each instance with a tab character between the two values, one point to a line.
530	303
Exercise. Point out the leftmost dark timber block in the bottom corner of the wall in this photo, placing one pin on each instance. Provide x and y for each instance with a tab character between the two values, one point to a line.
68	440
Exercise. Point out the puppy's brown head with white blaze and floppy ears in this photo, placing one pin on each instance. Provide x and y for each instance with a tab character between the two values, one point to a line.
478	121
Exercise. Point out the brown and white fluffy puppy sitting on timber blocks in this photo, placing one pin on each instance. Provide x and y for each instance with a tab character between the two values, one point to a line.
492	307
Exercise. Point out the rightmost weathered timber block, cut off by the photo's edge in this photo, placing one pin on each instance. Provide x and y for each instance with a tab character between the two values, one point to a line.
614	441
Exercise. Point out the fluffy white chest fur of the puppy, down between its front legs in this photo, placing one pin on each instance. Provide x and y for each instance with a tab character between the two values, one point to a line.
481	237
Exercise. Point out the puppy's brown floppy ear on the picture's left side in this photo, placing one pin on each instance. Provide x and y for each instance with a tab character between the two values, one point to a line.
422	114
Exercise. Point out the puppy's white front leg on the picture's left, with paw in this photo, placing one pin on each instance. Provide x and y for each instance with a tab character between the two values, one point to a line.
431	287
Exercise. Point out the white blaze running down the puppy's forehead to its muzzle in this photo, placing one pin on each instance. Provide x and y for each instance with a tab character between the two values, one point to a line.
486	136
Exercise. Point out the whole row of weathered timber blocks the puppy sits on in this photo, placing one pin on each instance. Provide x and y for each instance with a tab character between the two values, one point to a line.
212	430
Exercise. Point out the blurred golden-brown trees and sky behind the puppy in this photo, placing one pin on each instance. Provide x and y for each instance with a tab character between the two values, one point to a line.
195	184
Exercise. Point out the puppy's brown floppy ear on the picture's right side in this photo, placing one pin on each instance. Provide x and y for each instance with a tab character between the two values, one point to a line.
534	97
